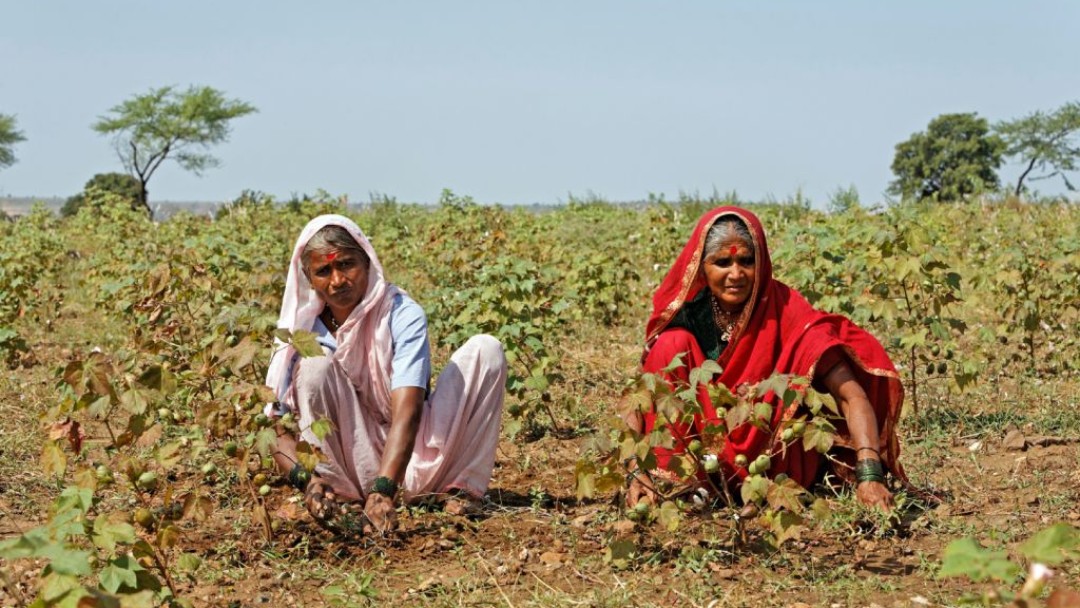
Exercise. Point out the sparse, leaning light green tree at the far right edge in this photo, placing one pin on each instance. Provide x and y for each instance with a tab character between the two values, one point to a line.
1045	142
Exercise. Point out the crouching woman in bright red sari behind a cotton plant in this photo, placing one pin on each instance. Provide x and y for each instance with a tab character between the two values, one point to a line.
720	302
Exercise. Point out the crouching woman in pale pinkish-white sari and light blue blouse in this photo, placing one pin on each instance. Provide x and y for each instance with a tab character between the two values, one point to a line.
391	437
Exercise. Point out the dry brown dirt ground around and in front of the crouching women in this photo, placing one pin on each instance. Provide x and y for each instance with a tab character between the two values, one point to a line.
536	545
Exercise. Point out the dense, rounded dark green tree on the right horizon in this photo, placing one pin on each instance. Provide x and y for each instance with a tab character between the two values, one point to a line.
956	156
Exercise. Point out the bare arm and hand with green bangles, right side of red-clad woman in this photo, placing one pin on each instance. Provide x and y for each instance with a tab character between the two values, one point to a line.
862	424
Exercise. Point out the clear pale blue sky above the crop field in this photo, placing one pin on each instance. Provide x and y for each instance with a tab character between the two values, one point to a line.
522	103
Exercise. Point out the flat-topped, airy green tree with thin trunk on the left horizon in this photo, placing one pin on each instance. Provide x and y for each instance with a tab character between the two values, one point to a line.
168	124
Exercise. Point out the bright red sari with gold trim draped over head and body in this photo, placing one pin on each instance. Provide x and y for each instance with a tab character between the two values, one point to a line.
778	332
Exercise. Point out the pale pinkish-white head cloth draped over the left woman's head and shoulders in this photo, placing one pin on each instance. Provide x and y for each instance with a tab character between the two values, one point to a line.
364	342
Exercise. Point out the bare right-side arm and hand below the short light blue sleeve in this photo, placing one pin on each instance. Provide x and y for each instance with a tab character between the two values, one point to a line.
407	408
